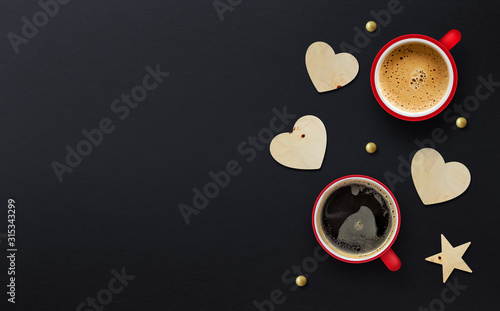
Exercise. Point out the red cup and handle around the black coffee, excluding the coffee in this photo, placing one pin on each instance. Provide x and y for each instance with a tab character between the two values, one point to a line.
383	251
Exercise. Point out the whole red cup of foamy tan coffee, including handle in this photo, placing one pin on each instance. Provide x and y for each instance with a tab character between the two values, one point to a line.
414	77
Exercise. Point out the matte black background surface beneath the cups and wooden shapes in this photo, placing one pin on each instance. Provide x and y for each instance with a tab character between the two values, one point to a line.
119	208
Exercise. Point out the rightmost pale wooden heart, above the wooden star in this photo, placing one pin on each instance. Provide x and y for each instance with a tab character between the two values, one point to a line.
435	180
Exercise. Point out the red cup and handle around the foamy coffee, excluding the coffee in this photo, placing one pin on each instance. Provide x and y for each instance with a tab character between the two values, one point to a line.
443	47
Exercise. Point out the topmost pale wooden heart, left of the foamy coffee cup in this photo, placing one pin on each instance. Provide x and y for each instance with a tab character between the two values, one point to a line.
327	70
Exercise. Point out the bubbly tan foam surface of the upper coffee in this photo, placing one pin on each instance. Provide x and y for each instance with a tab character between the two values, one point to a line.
413	77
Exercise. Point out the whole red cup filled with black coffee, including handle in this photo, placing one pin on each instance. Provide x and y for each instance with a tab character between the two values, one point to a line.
356	219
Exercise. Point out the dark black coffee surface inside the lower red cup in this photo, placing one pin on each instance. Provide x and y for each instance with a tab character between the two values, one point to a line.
356	219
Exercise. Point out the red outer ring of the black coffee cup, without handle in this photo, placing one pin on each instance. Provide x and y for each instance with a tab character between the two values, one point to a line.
386	248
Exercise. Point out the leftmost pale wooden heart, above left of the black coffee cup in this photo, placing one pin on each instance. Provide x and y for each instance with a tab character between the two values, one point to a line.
304	148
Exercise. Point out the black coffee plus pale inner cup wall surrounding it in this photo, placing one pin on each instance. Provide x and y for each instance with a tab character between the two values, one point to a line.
357	219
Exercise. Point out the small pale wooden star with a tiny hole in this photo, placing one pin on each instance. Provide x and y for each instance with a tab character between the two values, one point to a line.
450	258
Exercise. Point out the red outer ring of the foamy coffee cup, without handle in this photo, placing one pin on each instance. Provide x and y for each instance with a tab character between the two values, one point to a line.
443	105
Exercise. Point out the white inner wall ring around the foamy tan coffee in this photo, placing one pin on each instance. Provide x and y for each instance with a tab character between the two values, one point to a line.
418	113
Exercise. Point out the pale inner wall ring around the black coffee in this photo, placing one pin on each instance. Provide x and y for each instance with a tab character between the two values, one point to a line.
344	182
